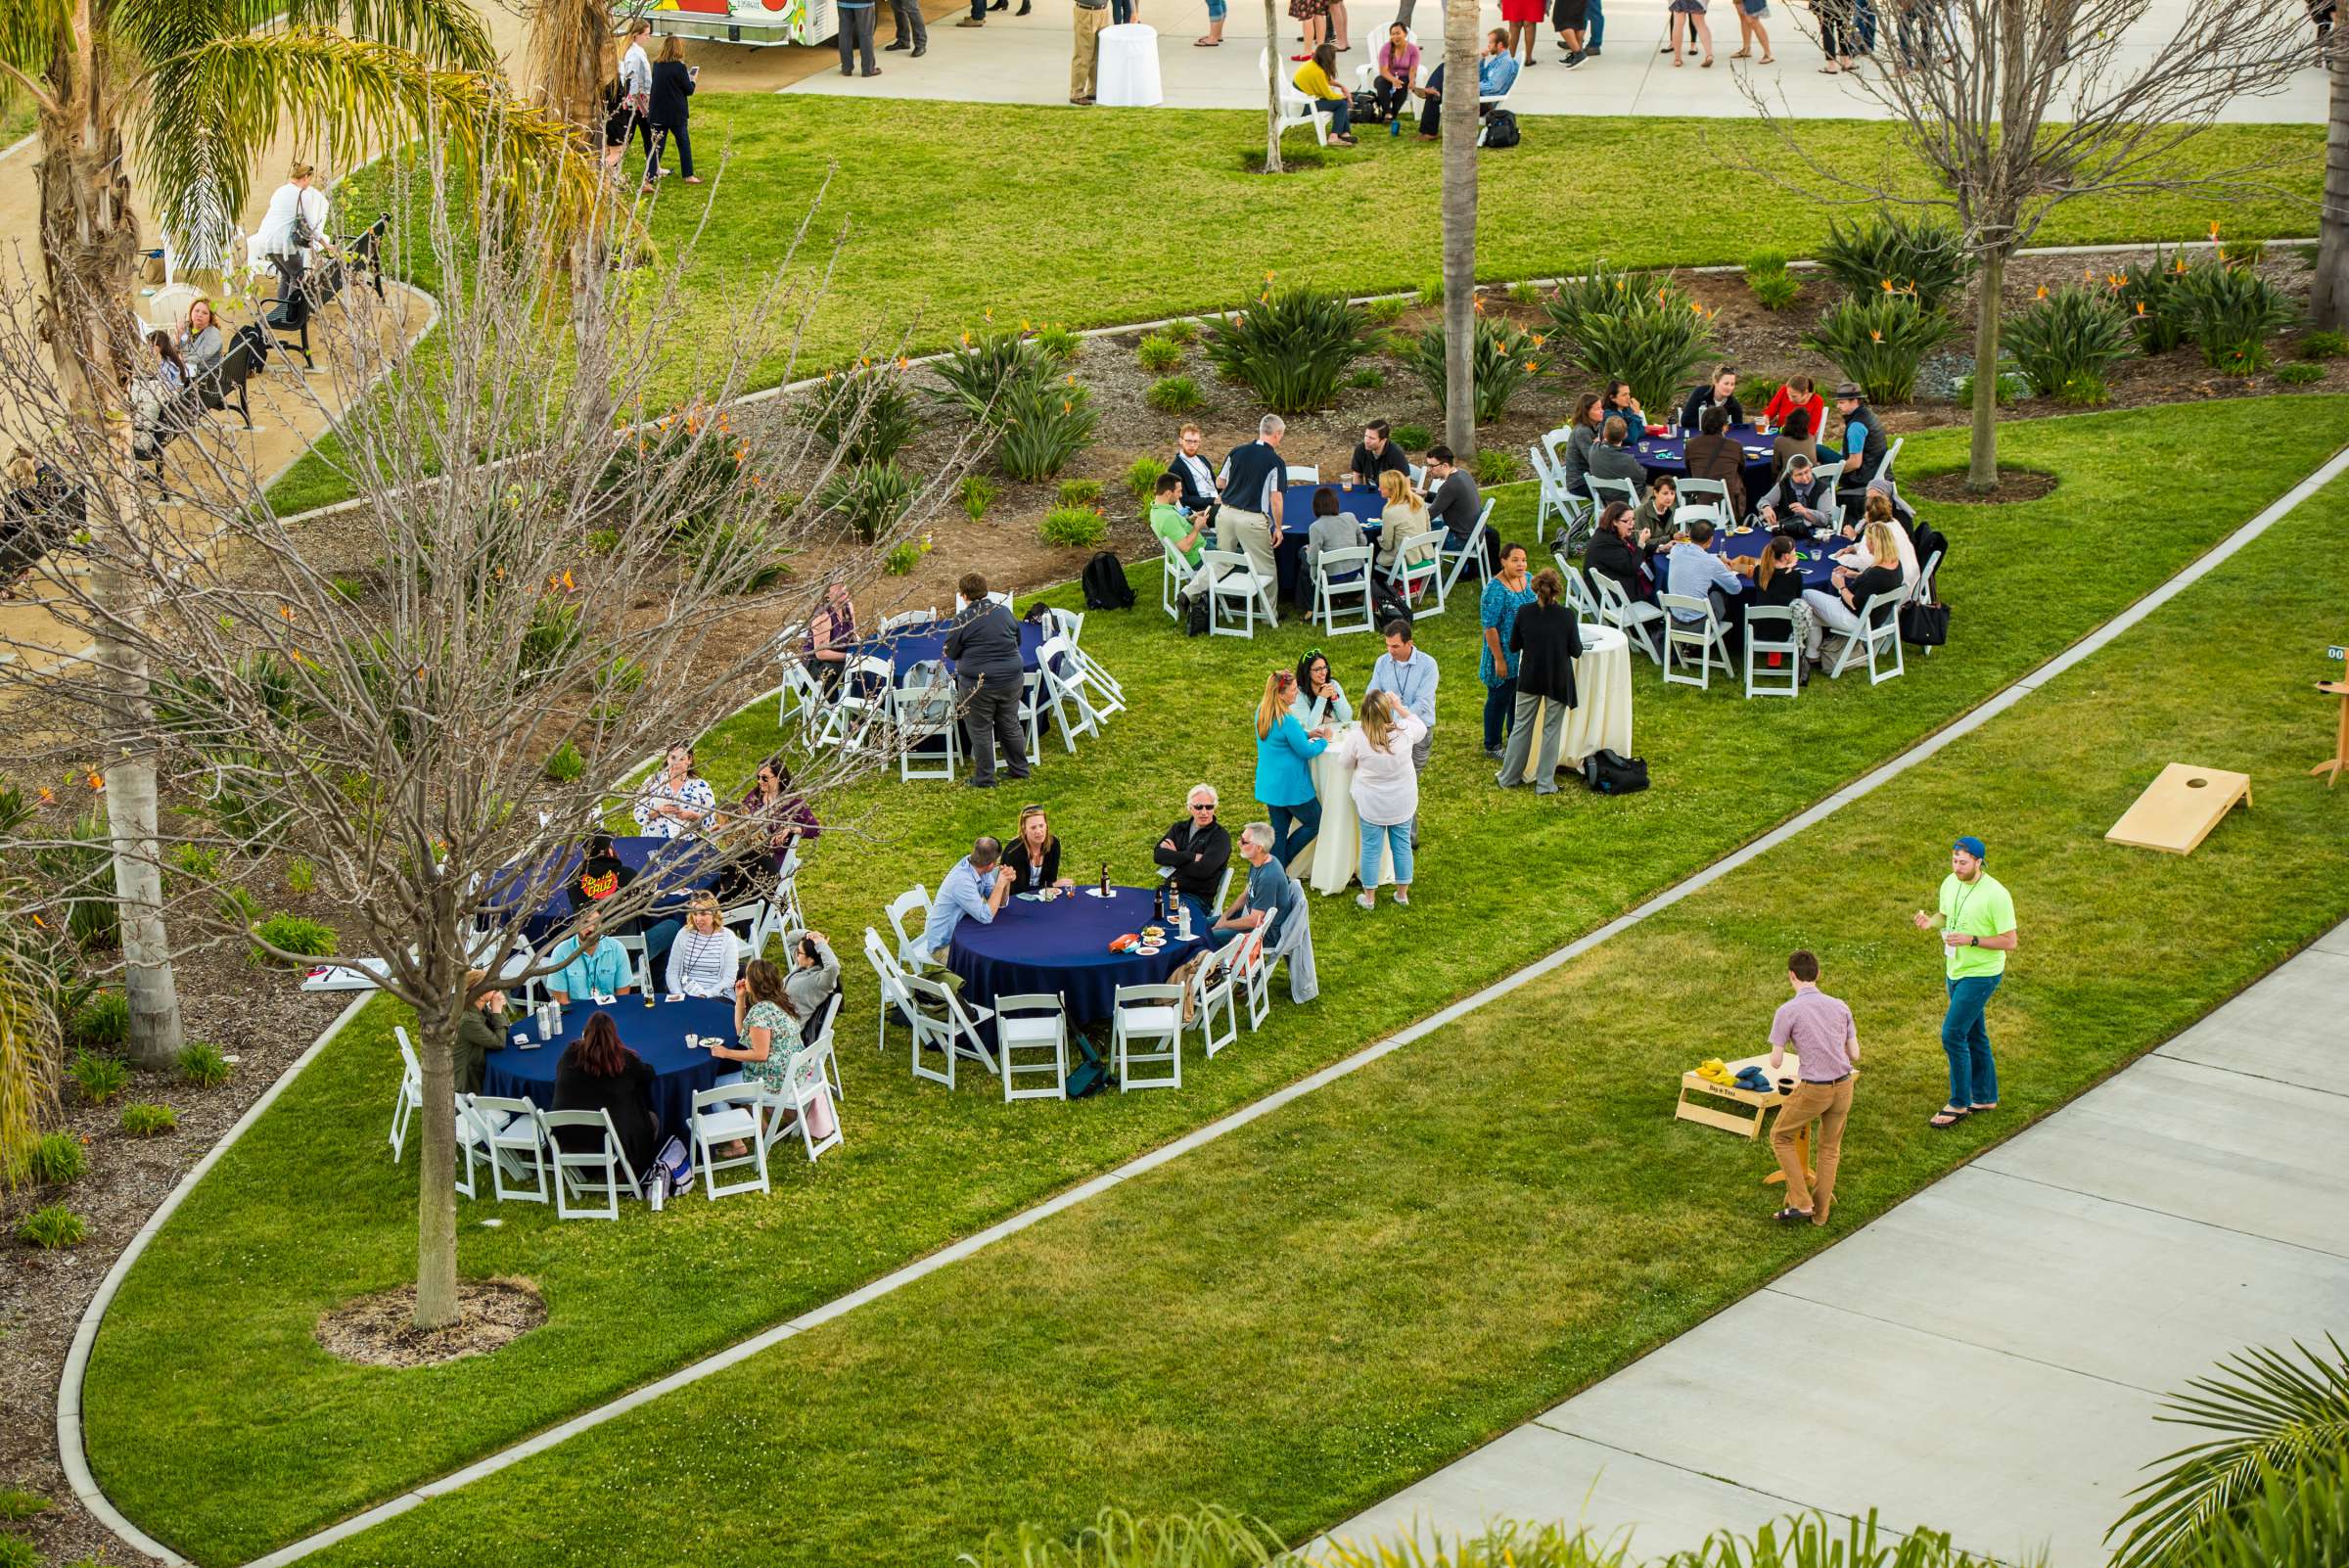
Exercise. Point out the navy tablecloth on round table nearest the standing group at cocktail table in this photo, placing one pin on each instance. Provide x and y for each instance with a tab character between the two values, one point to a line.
1063	947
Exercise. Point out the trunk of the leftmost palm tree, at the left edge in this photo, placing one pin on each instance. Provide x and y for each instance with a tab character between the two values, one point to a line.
88	248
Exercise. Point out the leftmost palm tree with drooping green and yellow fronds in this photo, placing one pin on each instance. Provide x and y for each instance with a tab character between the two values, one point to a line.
203	90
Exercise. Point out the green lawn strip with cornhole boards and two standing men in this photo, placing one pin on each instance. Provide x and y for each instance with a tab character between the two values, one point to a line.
1324	1306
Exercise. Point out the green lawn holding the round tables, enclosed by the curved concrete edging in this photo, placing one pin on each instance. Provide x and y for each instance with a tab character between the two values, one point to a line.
264	1438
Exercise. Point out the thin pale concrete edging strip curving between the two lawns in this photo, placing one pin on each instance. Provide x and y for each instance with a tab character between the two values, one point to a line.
69	1395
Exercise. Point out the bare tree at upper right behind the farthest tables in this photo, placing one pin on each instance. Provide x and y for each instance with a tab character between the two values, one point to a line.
2017	107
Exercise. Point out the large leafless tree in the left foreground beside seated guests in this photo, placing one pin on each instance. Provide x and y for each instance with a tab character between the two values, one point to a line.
570	562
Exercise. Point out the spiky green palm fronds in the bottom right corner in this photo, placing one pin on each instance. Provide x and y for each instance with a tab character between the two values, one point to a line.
2273	1414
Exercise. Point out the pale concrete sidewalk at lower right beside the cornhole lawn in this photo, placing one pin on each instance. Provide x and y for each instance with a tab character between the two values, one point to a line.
1991	1356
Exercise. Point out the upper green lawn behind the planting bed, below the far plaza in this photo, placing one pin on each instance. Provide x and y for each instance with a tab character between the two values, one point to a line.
1065	217
